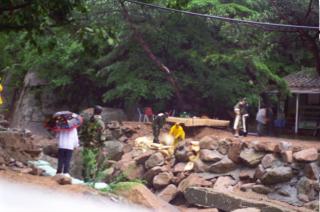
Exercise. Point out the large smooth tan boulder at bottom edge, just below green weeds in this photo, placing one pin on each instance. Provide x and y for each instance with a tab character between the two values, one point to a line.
141	195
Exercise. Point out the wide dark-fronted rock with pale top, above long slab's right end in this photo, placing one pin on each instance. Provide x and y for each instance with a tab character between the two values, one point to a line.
276	175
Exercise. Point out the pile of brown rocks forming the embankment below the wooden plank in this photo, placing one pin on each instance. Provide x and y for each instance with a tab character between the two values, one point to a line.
279	171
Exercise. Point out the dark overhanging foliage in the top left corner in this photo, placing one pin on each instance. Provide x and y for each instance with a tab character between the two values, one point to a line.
36	14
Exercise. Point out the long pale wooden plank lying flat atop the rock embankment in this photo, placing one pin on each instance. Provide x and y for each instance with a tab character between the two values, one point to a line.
193	122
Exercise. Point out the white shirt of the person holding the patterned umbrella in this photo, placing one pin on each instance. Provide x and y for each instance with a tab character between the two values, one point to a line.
68	139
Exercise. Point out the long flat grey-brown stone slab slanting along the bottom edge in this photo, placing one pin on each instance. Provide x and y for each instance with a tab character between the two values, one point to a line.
206	197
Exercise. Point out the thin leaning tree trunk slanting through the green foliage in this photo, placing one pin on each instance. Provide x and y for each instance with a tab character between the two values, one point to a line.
150	54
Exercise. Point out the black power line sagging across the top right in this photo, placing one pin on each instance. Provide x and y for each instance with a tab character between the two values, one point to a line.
232	20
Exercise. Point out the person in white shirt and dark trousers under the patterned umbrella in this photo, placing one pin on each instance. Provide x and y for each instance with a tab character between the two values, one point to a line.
67	142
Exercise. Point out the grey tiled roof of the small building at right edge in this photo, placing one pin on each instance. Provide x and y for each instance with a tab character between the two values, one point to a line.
303	82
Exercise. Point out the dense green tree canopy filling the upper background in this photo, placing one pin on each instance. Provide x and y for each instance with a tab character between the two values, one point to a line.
126	55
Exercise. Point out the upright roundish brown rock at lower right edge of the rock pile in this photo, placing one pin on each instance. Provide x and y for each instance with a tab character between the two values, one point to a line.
306	189
